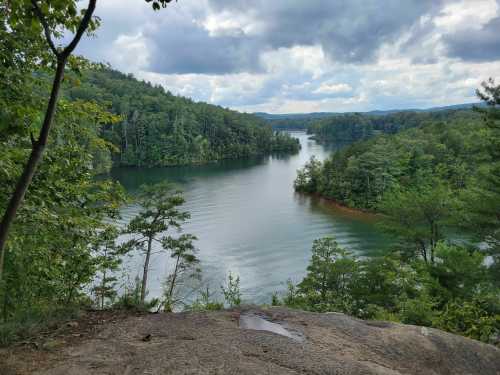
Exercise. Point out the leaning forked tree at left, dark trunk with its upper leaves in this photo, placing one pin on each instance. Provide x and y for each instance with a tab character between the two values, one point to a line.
39	22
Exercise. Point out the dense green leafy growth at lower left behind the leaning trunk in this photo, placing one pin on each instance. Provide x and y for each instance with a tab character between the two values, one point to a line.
50	259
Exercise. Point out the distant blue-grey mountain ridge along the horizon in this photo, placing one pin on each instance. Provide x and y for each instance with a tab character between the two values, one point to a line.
320	115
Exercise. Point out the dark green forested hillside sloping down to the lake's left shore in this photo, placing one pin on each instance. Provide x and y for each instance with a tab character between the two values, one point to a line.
160	129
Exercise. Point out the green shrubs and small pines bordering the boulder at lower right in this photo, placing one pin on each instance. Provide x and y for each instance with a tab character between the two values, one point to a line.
455	293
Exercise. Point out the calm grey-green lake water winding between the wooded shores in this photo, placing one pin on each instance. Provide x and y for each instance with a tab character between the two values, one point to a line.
249	221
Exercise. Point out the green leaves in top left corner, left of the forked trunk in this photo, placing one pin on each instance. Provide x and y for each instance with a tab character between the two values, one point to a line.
24	50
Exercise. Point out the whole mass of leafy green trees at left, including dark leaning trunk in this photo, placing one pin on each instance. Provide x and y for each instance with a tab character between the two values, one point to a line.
51	211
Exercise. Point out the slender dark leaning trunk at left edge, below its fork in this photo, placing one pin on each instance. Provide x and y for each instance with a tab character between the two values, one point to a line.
33	162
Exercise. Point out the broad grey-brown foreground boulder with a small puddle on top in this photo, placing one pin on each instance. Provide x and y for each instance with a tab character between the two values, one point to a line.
287	342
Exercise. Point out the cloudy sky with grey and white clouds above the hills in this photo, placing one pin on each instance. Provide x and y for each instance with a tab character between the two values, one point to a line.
285	56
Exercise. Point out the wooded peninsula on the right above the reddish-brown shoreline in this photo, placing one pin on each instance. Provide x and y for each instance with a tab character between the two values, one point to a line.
453	151
